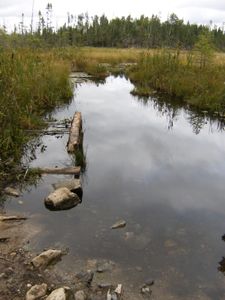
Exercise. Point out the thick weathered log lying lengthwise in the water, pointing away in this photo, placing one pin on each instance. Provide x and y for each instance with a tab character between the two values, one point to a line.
75	135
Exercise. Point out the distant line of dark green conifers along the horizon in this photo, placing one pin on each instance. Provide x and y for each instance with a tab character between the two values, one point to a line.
82	30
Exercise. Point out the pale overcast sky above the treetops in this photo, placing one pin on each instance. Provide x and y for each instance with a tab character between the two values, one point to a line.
196	11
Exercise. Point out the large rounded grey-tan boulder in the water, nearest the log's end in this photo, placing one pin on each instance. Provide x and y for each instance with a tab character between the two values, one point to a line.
61	199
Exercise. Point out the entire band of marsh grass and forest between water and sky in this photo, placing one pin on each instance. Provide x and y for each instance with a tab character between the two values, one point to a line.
179	59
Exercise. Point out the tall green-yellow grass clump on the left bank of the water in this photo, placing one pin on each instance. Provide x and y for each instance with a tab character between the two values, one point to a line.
31	83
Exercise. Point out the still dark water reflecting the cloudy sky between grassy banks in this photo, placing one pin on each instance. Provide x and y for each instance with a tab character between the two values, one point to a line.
158	166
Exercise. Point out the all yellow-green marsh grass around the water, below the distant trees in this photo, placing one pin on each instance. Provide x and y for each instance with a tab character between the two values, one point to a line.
34	81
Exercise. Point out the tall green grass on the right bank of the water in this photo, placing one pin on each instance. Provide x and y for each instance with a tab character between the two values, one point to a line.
196	80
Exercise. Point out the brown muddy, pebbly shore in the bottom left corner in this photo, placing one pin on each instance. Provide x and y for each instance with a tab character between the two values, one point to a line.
19	273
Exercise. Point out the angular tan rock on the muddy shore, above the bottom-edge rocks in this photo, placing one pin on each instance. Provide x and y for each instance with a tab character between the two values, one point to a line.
47	258
